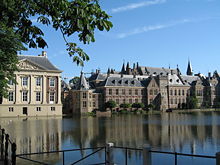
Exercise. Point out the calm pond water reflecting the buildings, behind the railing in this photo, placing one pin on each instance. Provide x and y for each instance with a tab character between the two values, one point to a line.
194	133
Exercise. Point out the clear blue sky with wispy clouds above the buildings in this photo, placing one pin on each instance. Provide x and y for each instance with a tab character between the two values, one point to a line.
155	33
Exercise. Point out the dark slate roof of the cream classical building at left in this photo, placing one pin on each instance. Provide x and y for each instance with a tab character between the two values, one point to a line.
40	61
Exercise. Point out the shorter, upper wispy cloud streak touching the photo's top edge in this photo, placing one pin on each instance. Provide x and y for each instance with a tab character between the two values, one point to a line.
137	5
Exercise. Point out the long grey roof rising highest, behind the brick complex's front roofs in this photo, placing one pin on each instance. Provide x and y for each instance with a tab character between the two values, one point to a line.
156	71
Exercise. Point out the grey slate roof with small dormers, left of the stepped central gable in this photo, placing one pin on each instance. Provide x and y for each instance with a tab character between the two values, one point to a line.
117	81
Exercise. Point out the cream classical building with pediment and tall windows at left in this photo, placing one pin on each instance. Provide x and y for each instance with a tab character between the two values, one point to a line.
38	89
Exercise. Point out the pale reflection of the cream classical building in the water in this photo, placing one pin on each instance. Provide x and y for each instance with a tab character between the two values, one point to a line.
35	135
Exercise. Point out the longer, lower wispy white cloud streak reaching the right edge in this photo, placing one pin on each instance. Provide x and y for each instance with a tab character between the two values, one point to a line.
161	26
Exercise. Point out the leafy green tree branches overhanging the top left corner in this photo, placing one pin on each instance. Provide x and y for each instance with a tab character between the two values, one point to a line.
80	17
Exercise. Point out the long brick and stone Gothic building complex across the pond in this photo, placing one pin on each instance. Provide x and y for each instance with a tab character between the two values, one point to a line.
163	88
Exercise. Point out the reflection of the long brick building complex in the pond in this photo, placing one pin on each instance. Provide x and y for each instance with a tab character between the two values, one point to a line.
169	131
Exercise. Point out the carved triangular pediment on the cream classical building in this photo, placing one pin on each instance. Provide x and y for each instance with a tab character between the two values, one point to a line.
27	65
